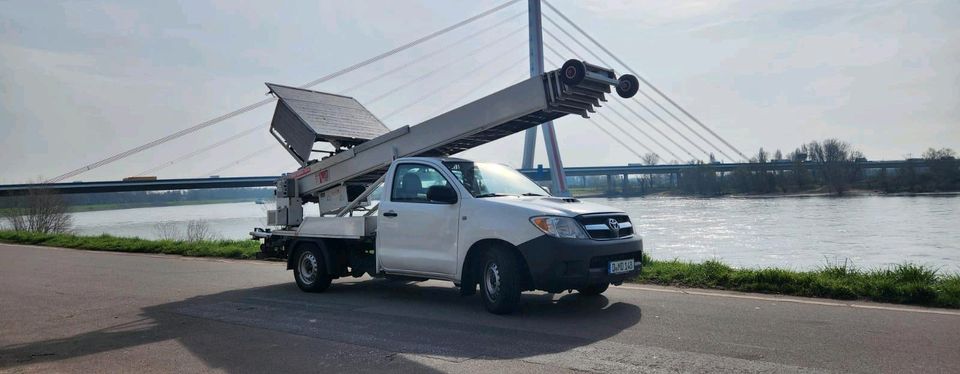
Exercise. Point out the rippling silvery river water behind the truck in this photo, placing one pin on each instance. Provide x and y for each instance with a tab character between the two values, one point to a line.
788	232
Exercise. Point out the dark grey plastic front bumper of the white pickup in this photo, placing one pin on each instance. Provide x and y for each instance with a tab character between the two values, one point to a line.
563	264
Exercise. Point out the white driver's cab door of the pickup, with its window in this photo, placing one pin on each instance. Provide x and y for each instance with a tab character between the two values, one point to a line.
414	233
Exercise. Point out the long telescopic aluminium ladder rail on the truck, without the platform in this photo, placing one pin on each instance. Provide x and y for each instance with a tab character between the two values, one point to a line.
514	109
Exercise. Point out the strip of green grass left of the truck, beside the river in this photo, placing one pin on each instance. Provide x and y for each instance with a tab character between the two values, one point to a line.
216	248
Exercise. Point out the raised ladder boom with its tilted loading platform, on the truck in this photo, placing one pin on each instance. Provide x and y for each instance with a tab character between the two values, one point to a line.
576	88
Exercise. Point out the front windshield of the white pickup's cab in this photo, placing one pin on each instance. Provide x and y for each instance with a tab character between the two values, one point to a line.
483	179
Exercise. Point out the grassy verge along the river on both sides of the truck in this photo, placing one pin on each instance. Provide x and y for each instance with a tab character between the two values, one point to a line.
903	284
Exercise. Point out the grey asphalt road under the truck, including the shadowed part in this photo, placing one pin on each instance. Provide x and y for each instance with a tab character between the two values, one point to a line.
65	310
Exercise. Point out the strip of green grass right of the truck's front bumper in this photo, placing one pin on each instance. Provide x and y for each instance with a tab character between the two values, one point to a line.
902	284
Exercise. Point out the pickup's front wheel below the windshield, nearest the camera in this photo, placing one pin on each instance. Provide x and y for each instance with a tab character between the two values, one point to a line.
500	281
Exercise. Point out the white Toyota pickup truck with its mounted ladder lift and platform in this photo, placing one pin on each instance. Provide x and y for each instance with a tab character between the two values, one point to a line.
392	203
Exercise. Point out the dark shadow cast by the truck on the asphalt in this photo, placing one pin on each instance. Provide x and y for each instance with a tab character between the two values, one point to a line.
390	316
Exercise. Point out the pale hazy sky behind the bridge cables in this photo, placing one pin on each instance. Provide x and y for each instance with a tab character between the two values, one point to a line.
81	81
